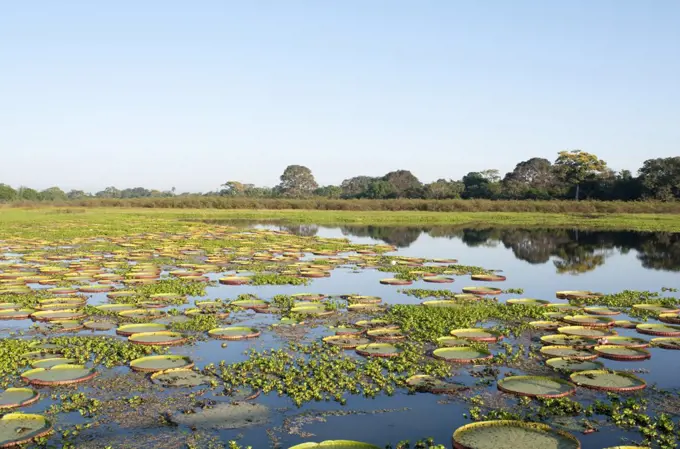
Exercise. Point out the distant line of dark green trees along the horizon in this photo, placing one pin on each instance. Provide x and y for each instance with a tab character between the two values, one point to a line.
573	175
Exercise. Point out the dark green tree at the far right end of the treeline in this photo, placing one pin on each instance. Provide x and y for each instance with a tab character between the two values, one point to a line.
660	178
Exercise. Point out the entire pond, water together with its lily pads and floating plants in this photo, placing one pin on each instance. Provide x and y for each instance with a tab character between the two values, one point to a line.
172	329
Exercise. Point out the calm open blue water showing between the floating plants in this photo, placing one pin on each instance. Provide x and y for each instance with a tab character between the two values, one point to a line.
539	261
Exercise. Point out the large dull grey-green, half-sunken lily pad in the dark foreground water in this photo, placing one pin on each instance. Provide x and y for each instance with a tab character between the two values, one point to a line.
224	415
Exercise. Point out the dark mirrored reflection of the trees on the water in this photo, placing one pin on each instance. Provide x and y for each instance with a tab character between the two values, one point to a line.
570	250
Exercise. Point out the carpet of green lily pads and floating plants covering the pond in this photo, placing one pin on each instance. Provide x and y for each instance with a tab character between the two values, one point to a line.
98	302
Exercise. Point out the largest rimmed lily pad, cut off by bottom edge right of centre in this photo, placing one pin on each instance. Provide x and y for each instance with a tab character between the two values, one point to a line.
506	434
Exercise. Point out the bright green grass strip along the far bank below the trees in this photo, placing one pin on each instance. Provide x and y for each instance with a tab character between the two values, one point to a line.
104	220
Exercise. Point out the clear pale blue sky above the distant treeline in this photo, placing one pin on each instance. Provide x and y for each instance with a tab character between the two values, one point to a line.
162	93
